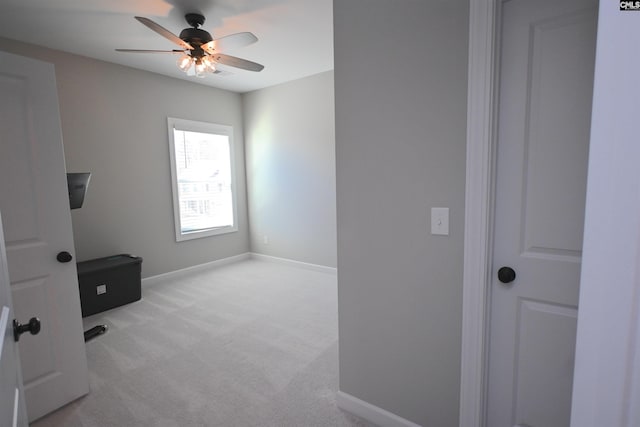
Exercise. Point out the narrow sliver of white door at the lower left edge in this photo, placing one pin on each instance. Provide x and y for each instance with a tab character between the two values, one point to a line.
12	409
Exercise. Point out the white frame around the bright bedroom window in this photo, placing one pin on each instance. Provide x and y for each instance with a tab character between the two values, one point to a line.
203	127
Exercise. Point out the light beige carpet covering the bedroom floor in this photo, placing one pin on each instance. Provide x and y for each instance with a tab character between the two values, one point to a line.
249	344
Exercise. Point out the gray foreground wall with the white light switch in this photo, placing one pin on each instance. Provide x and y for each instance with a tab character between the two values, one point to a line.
400	84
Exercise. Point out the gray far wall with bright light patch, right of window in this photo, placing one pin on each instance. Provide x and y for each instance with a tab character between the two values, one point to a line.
290	145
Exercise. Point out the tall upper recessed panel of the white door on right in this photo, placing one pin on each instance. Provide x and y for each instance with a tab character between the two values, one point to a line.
557	124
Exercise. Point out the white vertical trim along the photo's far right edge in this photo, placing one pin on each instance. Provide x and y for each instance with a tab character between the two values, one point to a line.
606	385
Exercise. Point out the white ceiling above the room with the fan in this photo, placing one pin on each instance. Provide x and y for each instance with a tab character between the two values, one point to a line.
295	36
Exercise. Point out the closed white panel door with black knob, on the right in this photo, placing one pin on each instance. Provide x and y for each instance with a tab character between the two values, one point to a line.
546	79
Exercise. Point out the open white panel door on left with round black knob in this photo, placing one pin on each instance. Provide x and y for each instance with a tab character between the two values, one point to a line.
37	223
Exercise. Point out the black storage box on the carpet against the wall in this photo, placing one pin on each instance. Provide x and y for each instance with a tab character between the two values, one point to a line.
109	282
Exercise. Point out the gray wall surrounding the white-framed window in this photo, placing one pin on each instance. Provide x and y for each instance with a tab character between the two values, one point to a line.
114	123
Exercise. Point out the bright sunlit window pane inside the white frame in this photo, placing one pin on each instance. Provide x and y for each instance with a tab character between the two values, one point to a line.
203	169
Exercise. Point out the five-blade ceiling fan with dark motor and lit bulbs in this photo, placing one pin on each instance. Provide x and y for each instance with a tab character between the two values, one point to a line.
198	49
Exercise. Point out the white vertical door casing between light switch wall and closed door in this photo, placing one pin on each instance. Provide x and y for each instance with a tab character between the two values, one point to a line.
479	202
